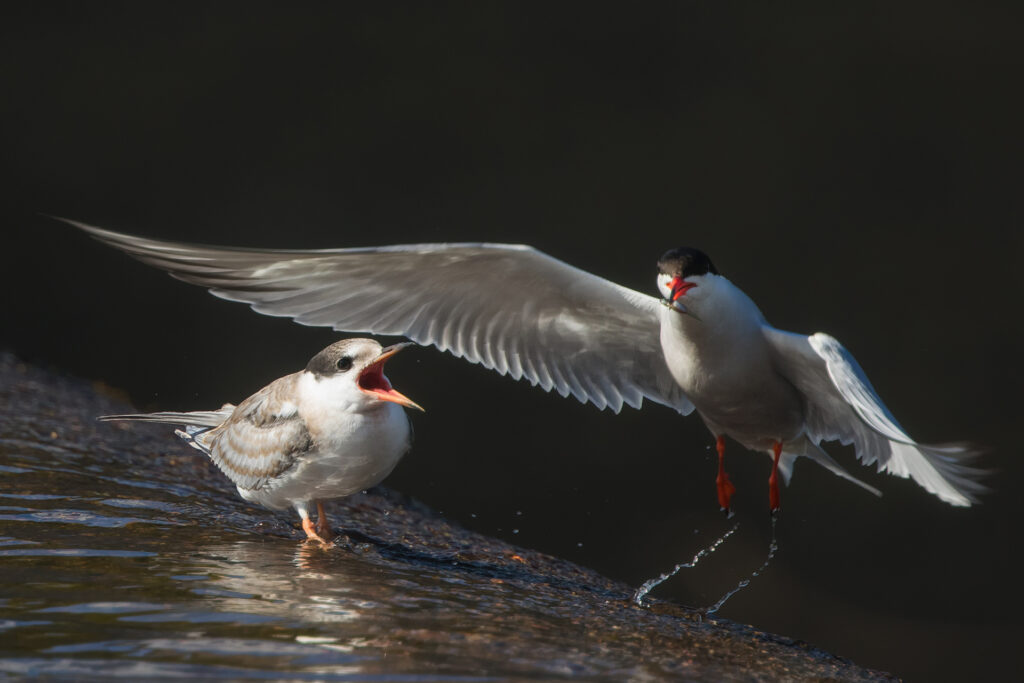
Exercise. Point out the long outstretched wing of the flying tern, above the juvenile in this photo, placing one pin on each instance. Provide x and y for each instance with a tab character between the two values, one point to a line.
508	308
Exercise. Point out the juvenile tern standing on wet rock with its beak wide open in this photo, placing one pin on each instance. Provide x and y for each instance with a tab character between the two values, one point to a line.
335	429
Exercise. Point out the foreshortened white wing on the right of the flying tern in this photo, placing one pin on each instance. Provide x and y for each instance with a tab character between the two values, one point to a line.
842	405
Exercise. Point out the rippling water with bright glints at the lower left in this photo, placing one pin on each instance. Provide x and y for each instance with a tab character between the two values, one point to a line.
184	585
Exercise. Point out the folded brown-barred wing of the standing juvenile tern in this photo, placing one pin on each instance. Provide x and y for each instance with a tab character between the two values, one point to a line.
263	439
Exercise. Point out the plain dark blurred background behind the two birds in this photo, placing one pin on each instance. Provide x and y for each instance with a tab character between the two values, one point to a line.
857	169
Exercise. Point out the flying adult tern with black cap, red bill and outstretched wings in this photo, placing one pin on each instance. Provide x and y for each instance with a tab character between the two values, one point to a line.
704	347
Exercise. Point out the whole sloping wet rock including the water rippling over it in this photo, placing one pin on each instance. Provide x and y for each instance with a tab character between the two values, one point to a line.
125	553
